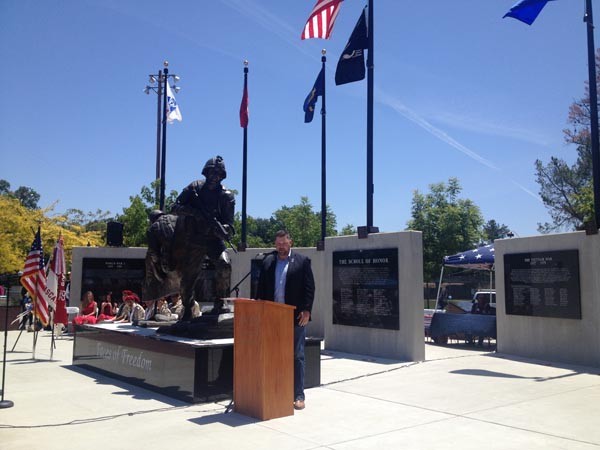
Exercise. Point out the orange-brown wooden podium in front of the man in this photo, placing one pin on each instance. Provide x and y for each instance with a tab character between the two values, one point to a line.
263	359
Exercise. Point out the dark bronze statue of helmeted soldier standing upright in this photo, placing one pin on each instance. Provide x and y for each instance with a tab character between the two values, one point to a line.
204	210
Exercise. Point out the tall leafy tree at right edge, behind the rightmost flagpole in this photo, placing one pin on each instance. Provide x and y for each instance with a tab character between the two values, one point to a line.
567	190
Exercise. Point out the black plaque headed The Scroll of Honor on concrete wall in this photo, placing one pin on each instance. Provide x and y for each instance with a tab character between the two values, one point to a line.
365	288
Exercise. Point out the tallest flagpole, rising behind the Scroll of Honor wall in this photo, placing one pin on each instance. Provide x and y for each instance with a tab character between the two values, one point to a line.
370	84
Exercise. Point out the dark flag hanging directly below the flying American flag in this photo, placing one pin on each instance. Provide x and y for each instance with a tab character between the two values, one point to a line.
351	66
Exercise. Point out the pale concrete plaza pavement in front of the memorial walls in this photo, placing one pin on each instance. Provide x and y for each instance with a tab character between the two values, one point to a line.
460	397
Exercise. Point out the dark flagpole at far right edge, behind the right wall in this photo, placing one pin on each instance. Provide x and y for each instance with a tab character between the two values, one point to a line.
589	20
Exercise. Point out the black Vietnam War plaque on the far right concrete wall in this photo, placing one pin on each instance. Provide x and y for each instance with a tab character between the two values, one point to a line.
544	284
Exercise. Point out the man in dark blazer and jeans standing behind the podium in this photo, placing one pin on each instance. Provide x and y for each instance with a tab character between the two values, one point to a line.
286	277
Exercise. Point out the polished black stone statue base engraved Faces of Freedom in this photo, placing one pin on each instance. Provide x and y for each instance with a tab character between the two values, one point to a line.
186	369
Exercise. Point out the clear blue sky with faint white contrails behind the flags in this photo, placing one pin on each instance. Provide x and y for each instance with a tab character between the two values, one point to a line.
459	92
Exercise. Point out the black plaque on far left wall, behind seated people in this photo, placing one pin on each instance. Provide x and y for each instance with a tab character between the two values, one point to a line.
103	275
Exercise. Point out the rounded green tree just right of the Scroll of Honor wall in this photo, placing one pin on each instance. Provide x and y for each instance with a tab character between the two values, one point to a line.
449	224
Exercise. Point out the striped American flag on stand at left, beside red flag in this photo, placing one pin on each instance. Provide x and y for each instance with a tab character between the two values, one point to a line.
34	279
